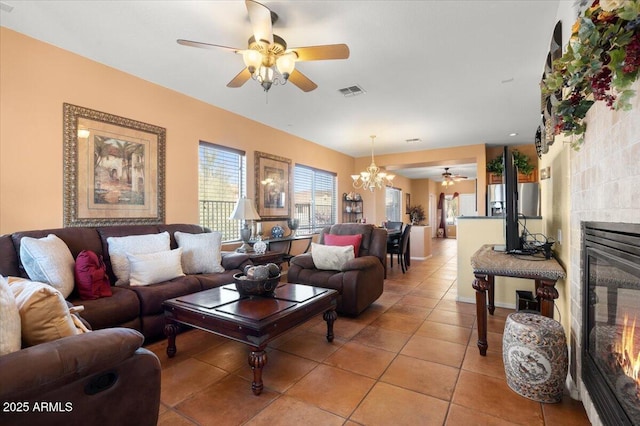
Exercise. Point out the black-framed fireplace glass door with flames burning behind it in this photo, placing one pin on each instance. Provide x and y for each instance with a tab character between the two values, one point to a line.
611	345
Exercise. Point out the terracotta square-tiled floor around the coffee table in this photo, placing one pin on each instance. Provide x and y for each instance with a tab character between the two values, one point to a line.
409	359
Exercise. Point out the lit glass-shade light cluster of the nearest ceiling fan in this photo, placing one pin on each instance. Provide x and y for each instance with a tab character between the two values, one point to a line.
268	63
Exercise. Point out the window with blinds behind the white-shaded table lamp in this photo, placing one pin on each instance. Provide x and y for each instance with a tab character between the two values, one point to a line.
221	181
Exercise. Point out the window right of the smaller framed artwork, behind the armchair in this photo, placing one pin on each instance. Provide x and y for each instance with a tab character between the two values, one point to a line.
314	198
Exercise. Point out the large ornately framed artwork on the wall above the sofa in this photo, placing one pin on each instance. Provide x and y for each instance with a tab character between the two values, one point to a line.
113	169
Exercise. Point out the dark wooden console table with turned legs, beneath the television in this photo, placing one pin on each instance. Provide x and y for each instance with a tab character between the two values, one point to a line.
487	264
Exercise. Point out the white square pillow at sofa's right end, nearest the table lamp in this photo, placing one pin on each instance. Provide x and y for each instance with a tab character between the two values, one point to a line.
201	252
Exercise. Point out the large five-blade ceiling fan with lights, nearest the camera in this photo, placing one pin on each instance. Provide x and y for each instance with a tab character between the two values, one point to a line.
267	58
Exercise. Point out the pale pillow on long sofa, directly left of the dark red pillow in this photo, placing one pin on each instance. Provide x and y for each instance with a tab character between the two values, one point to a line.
48	260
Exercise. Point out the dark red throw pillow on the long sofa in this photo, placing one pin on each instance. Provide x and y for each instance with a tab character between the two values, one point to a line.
91	276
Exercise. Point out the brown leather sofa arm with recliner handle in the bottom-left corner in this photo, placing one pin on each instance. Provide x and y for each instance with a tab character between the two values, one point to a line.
102	378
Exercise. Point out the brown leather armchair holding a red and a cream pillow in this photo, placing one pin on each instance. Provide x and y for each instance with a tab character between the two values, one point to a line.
361	281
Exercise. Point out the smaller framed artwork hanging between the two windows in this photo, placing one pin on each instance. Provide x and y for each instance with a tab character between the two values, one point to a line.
273	177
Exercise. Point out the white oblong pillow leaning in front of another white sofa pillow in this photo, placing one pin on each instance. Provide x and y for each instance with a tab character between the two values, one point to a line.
155	268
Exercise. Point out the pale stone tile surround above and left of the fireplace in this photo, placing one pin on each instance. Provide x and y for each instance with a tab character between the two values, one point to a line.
605	187
